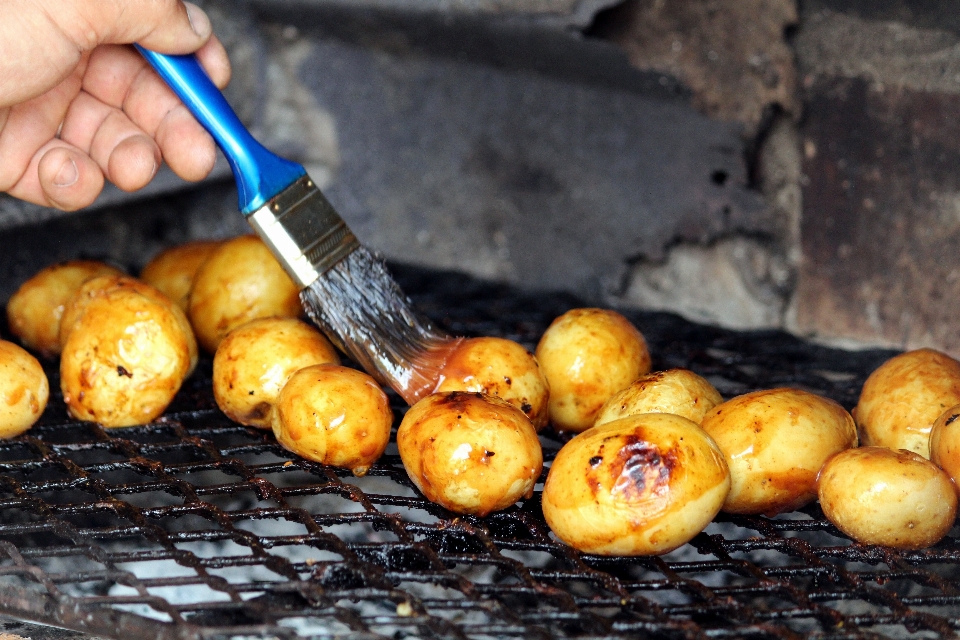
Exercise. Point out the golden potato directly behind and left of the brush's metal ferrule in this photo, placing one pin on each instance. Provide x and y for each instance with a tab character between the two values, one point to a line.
239	282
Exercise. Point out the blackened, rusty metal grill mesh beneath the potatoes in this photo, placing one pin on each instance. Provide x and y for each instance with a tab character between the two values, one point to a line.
196	527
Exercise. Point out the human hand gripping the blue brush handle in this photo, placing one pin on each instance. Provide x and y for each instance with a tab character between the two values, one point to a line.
77	106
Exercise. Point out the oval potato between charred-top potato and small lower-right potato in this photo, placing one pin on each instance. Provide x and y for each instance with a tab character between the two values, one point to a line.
775	442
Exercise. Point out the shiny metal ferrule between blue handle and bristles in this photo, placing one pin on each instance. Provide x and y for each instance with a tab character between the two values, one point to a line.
303	231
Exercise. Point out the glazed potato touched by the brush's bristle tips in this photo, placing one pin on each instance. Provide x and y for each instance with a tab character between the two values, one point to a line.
501	368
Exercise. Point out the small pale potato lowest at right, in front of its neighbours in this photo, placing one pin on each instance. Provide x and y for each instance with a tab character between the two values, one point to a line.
893	498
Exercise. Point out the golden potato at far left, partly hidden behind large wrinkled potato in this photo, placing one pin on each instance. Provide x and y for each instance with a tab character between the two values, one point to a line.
34	311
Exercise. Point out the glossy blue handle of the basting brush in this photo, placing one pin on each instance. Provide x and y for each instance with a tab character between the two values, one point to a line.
260	174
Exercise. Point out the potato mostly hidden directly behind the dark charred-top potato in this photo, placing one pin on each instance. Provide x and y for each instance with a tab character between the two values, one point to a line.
677	391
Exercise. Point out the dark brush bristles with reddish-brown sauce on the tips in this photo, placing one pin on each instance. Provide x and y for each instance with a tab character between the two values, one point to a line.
362	309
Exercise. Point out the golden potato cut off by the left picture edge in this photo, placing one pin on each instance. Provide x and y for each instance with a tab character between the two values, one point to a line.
24	390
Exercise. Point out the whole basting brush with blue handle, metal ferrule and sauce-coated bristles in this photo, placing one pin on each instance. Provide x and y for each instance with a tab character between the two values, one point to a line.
345	290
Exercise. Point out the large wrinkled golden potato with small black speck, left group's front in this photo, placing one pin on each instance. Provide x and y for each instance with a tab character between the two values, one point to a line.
126	355
